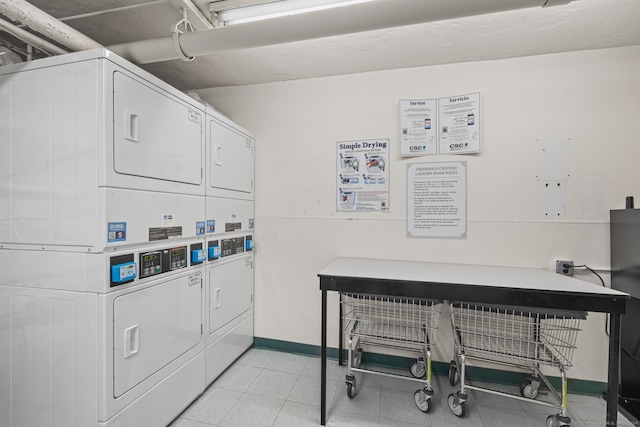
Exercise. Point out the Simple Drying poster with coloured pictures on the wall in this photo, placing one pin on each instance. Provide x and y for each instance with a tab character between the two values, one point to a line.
363	175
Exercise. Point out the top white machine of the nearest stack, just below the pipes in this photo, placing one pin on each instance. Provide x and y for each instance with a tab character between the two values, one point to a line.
97	154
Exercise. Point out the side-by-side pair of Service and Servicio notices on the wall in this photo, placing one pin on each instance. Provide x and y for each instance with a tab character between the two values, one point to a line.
448	125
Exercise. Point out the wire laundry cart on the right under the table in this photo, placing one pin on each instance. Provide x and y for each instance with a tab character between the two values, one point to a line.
514	336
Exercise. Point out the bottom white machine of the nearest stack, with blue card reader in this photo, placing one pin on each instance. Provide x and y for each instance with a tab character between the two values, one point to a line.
132	355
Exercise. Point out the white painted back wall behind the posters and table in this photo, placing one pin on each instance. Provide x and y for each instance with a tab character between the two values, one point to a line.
592	97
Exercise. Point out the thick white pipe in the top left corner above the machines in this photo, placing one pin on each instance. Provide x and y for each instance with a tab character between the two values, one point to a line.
45	24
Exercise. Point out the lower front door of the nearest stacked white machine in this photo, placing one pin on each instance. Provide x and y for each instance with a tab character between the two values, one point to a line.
153	327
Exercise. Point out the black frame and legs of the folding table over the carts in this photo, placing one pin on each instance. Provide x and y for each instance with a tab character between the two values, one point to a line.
614	305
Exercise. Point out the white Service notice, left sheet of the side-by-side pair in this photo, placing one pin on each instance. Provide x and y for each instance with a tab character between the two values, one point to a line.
418	127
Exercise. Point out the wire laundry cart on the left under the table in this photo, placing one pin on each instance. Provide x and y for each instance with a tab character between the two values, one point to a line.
391	322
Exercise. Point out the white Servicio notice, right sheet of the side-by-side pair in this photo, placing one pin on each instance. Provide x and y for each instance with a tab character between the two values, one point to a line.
459	124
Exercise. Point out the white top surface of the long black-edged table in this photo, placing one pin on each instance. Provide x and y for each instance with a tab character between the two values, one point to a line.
535	279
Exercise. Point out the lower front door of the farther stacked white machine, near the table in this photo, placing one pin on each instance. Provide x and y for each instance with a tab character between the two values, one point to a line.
230	291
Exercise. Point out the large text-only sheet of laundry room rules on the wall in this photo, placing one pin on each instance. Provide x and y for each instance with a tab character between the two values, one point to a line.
437	200
